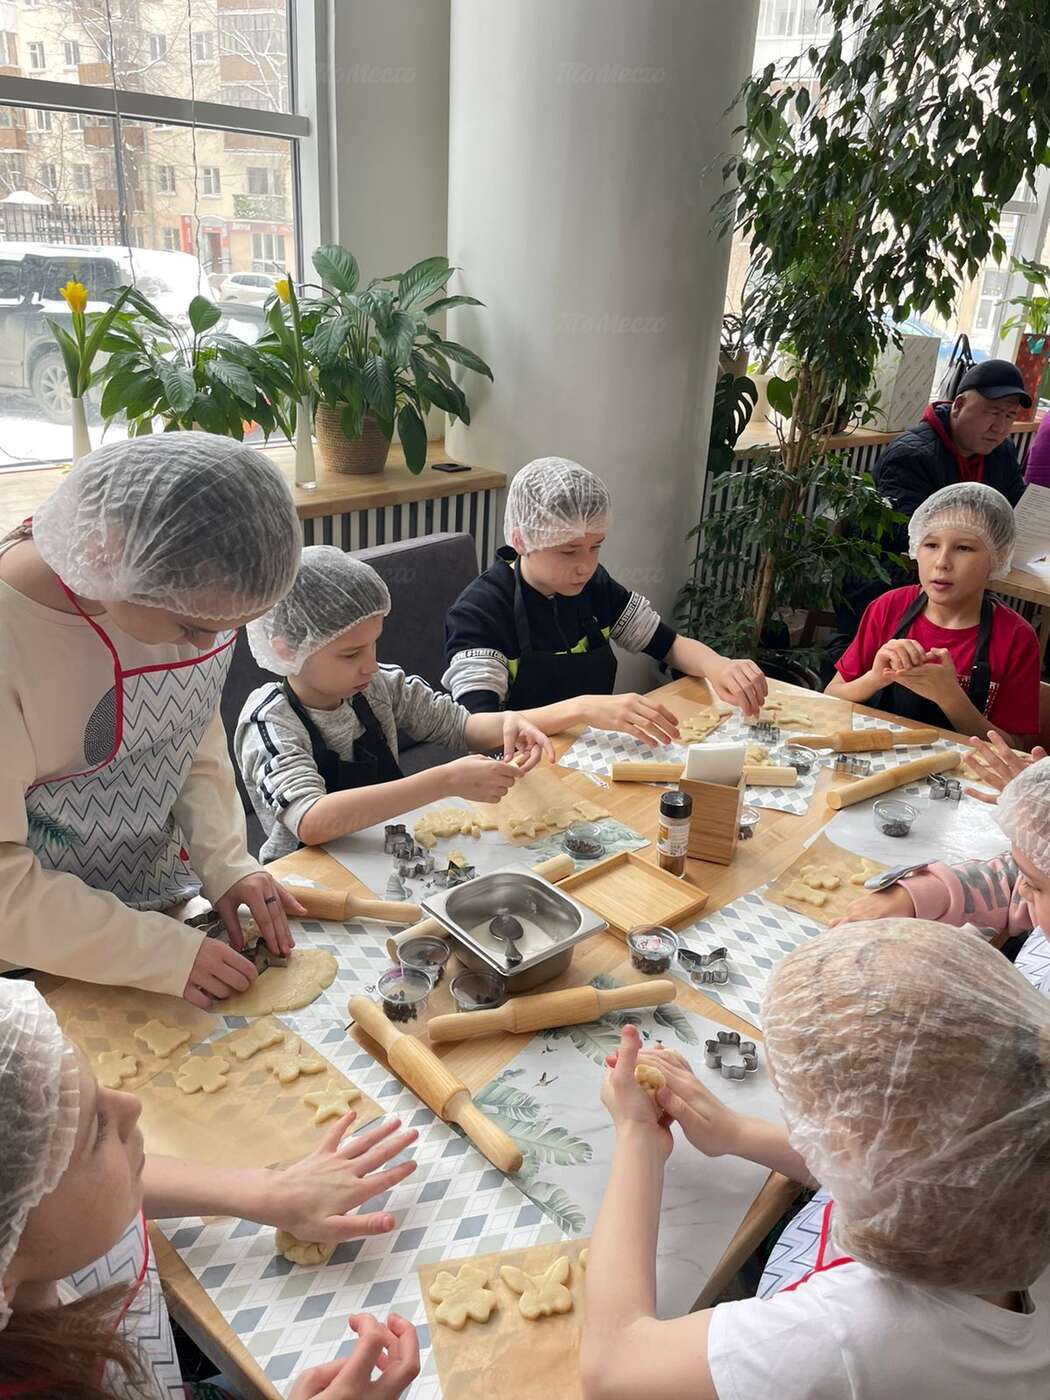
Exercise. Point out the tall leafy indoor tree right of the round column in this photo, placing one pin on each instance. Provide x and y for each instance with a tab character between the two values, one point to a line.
859	208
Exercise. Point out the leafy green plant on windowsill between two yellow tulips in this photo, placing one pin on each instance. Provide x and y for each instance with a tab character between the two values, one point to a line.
192	377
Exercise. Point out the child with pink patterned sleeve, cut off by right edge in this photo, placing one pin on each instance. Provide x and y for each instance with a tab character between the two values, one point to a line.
1007	897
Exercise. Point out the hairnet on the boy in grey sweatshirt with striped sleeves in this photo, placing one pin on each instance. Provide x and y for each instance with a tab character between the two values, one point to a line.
332	593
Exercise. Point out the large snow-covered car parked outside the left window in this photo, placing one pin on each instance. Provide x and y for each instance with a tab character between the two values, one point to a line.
30	281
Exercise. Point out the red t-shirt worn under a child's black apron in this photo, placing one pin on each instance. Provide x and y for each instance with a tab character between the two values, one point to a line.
1013	654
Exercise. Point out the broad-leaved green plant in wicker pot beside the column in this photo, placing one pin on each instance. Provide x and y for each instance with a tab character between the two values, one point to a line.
376	360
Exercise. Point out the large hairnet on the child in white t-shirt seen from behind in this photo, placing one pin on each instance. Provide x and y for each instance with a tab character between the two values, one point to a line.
913	1065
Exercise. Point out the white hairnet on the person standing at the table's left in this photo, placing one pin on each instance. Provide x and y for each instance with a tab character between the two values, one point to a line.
188	521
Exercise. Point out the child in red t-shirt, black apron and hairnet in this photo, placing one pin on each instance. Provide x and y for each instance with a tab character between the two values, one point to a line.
943	652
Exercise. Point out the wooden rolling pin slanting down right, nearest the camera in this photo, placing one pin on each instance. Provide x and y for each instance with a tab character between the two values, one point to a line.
421	1070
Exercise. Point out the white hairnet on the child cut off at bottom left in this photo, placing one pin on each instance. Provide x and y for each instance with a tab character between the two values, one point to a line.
40	1108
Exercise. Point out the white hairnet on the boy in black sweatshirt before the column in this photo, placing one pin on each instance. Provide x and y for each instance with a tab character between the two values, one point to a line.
554	500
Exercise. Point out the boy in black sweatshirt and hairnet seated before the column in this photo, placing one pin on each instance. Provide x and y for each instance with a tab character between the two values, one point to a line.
535	629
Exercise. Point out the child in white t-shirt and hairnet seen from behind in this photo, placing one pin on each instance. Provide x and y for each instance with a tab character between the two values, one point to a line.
913	1069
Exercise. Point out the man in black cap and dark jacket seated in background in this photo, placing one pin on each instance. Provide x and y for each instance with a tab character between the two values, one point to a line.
961	440
